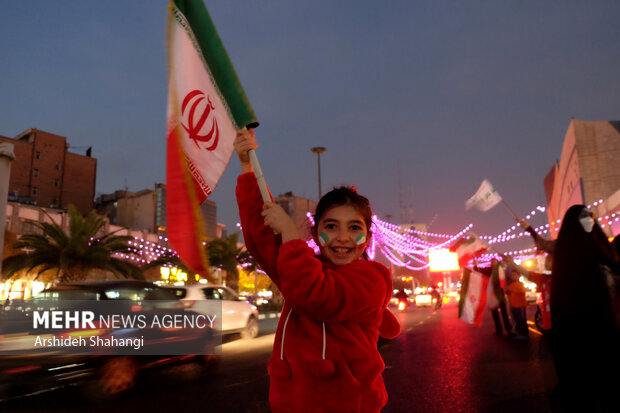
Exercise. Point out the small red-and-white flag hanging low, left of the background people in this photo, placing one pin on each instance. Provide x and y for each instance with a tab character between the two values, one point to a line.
473	297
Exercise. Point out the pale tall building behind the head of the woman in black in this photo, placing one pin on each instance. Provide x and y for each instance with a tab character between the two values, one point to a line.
587	173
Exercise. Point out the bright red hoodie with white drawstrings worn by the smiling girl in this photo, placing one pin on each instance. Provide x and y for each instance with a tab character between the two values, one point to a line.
325	356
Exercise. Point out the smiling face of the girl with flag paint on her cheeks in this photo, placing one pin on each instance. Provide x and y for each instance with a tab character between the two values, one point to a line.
341	235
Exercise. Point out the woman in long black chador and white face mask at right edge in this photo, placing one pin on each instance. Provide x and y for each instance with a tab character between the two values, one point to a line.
584	334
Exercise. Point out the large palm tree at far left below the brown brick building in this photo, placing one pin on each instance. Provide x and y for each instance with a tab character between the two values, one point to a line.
72	255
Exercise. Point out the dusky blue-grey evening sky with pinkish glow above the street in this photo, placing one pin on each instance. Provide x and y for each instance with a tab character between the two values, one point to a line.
416	101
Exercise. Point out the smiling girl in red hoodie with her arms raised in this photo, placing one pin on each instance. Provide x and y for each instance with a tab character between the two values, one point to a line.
325	356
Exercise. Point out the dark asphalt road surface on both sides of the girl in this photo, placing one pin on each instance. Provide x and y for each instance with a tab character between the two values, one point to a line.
438	364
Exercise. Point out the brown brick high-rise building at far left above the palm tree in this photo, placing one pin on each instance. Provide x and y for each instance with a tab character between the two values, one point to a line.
46	174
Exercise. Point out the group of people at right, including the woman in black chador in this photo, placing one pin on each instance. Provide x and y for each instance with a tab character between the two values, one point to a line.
583	271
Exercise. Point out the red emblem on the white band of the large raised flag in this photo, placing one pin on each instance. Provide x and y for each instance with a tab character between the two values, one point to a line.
194	126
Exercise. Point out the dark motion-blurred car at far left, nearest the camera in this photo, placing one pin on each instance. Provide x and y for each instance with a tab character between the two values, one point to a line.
99	375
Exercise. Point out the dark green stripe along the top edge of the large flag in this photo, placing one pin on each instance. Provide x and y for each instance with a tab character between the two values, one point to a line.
219	63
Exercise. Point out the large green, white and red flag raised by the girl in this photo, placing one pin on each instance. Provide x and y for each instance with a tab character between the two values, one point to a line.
206	106
